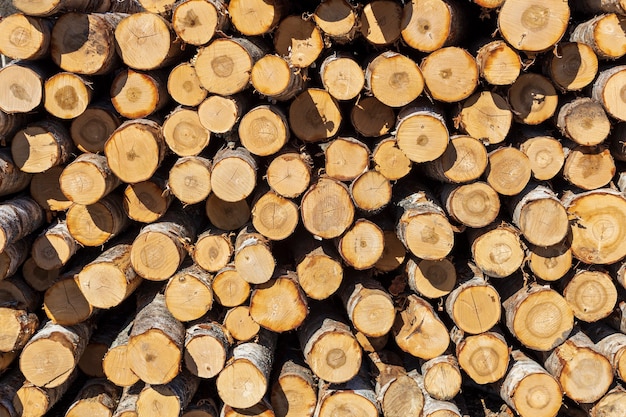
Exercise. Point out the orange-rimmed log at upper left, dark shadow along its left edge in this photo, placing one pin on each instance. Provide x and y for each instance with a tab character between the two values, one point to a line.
136	94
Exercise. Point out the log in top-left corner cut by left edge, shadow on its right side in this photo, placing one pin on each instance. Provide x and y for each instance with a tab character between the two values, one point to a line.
25	37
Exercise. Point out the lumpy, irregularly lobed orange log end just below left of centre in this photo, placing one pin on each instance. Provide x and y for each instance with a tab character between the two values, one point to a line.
280	304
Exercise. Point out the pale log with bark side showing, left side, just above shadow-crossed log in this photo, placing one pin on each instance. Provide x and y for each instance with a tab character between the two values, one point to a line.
87	179
